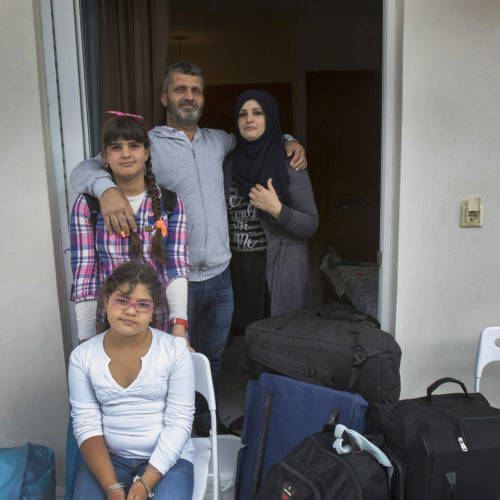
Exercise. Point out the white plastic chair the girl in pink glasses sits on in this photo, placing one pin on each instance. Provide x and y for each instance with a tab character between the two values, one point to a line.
205	448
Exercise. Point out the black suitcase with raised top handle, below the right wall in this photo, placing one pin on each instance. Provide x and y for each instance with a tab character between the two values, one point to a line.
444	447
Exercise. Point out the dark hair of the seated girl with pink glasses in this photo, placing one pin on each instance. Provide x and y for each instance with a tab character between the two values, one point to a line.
127	276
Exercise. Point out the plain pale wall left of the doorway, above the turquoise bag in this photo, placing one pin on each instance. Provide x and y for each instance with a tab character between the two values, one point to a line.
33	391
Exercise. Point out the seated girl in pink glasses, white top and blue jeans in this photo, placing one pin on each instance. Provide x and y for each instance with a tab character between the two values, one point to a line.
132	398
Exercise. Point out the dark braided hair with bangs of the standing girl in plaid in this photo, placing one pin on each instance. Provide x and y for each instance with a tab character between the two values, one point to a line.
130	129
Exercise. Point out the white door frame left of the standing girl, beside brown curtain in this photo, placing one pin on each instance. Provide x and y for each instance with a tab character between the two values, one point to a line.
69	136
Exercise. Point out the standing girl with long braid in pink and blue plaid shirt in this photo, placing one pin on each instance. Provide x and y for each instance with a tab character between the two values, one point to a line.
160	239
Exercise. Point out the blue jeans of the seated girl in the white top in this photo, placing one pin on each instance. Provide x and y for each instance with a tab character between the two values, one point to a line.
176	484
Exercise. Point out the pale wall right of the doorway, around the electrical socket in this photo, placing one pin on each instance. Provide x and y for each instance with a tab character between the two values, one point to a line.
448	276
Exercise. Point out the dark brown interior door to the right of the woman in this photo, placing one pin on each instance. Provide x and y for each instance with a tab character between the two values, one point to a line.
343	138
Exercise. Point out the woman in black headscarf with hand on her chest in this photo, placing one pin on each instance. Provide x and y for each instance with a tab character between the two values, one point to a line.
271	215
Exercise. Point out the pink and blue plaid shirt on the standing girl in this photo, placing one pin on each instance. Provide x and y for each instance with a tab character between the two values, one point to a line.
95	252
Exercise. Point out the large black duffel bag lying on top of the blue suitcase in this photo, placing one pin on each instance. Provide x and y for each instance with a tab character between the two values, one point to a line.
335	346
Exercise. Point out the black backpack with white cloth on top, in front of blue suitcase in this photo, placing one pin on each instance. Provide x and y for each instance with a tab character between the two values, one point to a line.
316	470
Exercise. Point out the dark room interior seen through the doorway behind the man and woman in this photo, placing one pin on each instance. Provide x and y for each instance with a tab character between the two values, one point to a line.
330	57
